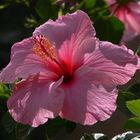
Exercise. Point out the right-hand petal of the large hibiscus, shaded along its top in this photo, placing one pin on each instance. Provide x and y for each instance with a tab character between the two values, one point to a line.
117	63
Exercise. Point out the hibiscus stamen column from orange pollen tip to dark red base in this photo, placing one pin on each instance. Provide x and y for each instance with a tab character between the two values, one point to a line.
46	50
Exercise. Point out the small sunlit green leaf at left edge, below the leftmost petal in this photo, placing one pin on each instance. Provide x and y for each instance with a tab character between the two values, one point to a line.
4	91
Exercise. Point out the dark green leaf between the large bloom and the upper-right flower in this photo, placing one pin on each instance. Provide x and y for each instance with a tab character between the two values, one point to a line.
109	29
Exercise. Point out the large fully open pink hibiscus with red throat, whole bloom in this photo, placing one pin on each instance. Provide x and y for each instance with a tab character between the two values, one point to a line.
66	71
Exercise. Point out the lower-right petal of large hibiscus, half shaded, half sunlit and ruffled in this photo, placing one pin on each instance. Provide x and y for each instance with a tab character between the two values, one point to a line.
85	103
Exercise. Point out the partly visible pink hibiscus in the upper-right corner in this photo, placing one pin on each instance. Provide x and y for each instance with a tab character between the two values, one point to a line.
128	11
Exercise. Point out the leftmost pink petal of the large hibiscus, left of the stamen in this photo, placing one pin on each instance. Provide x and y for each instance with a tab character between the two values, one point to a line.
23	62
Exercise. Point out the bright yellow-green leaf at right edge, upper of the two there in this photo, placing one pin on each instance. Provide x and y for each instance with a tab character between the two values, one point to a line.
134	106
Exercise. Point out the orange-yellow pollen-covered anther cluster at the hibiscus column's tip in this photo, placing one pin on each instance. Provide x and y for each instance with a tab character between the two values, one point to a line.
44	48
